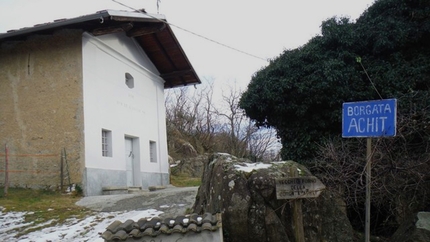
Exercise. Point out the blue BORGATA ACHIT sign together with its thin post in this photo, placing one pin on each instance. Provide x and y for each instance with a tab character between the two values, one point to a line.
369	119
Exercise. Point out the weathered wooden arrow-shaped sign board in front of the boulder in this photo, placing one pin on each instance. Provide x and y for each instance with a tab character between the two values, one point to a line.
298	187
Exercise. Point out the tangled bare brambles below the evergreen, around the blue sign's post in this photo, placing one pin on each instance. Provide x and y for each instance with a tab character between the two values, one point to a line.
400	178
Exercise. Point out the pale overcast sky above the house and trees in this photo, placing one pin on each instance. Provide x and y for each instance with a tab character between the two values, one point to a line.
260	30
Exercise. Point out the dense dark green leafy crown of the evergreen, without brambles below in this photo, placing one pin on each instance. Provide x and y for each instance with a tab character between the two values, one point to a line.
300	93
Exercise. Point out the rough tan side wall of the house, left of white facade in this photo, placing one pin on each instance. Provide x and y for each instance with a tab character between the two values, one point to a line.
41	108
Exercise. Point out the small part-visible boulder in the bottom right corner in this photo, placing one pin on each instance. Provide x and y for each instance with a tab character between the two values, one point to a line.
414	229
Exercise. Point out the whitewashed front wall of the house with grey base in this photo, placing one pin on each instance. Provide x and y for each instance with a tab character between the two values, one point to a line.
110	104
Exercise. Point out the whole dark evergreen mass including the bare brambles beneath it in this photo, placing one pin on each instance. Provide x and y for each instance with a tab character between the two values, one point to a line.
301	93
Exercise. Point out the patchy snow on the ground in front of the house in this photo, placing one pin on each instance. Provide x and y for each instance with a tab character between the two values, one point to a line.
88	229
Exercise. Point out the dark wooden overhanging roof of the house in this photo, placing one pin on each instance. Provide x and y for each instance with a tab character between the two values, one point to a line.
151	32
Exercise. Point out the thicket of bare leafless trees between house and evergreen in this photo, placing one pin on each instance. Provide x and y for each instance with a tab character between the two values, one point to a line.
194	119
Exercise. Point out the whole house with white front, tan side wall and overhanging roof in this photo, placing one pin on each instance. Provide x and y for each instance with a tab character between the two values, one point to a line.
94	87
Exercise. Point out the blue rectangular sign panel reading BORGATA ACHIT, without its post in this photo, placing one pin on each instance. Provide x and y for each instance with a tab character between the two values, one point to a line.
369	118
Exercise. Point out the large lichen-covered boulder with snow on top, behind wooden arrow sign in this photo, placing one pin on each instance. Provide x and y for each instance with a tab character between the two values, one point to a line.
245	194
